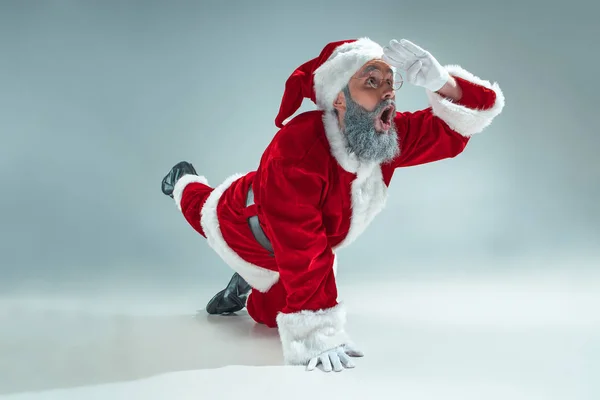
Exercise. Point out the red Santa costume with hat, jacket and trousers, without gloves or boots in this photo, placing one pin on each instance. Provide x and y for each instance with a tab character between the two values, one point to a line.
310	196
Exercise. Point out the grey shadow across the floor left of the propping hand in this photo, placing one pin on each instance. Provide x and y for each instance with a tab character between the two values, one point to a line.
41	350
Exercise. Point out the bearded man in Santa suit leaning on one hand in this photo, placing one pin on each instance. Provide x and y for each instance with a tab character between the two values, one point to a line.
322	180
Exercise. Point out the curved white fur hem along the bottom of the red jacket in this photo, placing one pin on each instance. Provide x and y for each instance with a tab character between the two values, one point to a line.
259	278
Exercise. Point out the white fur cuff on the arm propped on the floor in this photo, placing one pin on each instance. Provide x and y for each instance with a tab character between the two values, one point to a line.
307	334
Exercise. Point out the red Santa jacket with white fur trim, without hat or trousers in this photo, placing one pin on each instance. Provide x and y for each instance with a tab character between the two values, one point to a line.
312	197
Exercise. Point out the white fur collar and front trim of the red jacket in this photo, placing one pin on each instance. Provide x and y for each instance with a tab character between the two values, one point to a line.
368	193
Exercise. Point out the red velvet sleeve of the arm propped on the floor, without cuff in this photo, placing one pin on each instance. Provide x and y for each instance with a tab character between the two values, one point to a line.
291	207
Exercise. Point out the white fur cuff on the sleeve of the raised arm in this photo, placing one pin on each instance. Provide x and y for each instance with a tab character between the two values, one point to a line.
463	120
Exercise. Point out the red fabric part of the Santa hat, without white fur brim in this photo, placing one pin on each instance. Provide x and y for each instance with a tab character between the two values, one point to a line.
300	84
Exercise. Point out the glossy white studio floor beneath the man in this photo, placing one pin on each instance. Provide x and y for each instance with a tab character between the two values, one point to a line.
518	337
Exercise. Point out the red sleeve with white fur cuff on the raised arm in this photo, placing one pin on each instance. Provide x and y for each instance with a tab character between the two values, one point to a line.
426	136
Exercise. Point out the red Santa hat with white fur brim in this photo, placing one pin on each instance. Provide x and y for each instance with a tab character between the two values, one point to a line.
323	77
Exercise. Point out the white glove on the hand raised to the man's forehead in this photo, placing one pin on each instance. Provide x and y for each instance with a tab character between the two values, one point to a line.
422	69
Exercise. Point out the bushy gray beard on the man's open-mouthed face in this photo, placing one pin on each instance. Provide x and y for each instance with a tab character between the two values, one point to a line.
361	137
